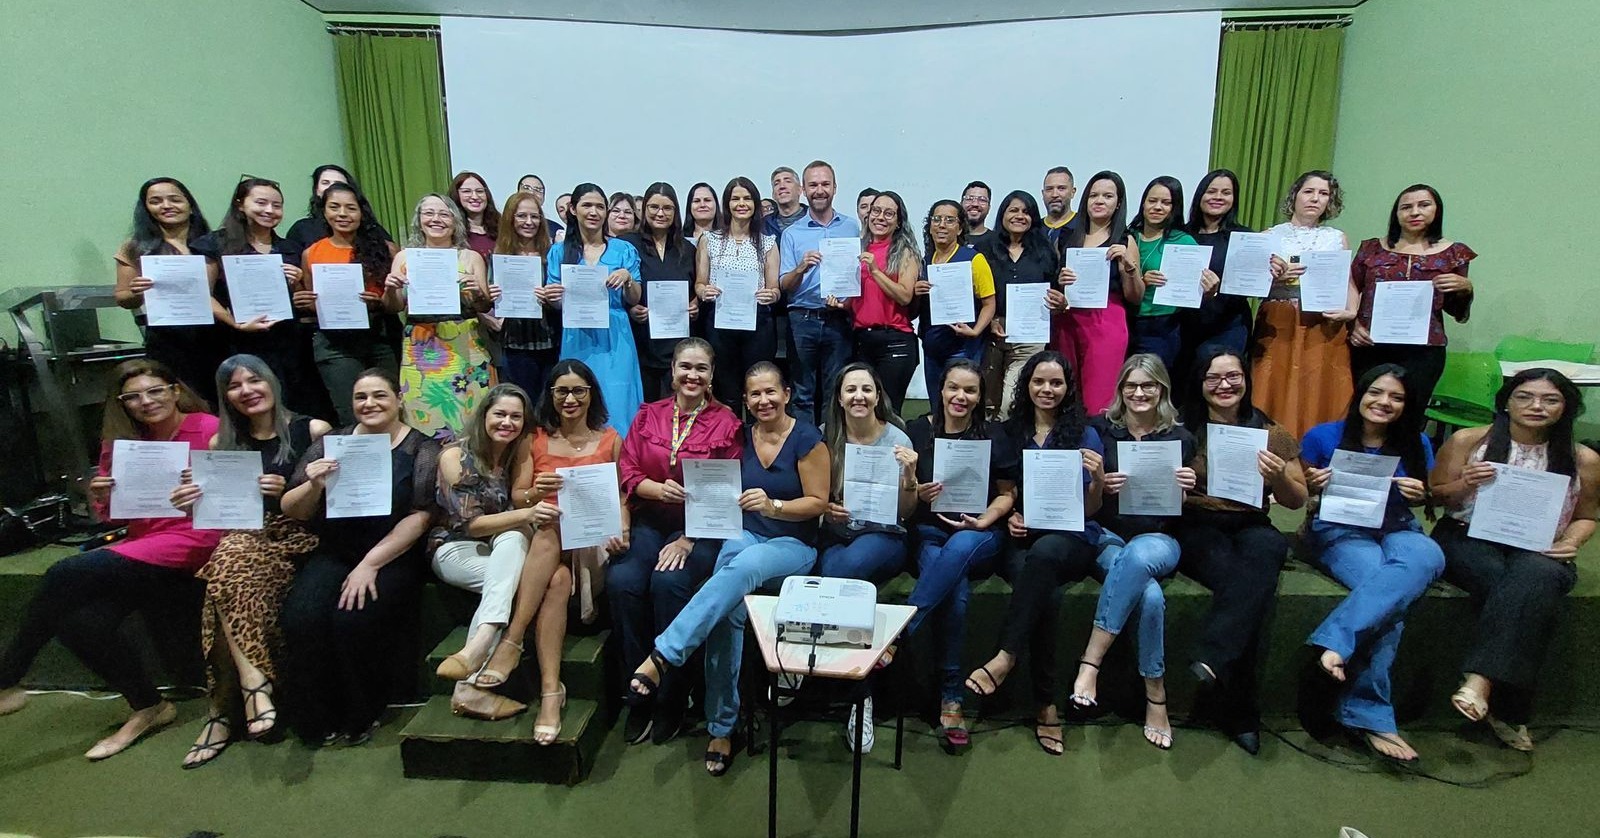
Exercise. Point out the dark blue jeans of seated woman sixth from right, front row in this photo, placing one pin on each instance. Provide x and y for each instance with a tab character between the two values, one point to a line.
945	564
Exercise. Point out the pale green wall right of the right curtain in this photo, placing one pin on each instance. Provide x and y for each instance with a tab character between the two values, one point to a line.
1492	103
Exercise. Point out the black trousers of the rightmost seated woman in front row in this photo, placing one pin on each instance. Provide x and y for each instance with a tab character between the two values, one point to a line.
1519	599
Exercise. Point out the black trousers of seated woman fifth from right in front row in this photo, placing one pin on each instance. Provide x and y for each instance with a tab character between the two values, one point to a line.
1031	623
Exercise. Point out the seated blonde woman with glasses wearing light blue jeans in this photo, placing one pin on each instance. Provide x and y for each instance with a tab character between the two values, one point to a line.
1135	553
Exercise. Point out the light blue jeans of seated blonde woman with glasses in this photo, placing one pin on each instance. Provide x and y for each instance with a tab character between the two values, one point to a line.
1130	583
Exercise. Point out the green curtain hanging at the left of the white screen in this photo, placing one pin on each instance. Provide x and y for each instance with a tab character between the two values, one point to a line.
394	121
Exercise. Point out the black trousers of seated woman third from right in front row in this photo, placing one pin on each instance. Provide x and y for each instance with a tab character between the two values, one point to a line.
1238	557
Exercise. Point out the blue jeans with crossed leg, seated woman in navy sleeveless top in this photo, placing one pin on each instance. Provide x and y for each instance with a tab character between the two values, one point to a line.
716	618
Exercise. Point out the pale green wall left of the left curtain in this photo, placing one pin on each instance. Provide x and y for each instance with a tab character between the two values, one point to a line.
106	94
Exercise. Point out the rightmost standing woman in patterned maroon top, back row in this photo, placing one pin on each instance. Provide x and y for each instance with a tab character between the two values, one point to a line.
1414	250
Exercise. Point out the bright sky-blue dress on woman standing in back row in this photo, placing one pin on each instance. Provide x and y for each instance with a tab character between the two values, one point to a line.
609	353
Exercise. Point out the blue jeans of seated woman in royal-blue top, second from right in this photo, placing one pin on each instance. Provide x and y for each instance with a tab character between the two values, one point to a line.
1386	573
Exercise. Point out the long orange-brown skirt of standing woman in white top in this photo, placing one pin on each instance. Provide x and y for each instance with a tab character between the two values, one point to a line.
1302	367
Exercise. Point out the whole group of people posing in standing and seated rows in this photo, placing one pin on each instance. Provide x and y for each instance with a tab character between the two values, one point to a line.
314	607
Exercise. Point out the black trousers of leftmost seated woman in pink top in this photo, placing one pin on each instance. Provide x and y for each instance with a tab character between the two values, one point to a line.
84	602
